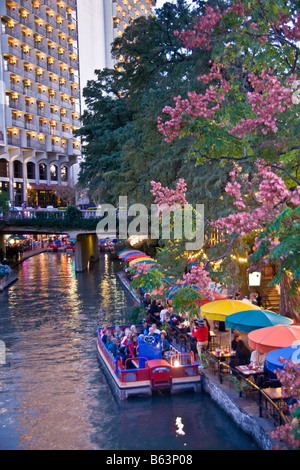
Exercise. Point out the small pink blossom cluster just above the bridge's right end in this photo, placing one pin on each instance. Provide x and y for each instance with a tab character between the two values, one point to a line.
167	197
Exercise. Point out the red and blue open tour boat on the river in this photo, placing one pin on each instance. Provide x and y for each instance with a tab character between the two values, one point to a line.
149	372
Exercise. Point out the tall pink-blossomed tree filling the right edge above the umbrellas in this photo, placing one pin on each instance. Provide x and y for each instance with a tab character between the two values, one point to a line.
248	114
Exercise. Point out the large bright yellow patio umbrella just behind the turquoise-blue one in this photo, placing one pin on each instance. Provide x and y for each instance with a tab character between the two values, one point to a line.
219	309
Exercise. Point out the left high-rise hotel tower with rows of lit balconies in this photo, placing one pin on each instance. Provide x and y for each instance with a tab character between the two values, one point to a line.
39	97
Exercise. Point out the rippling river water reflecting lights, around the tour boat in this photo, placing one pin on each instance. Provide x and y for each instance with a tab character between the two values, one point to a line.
53	393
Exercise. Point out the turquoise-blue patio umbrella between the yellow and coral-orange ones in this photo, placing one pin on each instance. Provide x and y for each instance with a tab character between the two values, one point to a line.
250	320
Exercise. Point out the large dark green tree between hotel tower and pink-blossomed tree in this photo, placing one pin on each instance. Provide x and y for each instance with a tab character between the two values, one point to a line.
123	147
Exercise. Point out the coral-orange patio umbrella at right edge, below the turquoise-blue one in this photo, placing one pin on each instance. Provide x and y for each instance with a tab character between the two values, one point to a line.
273	337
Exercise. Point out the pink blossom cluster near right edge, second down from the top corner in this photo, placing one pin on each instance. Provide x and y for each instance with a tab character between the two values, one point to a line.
268	98
